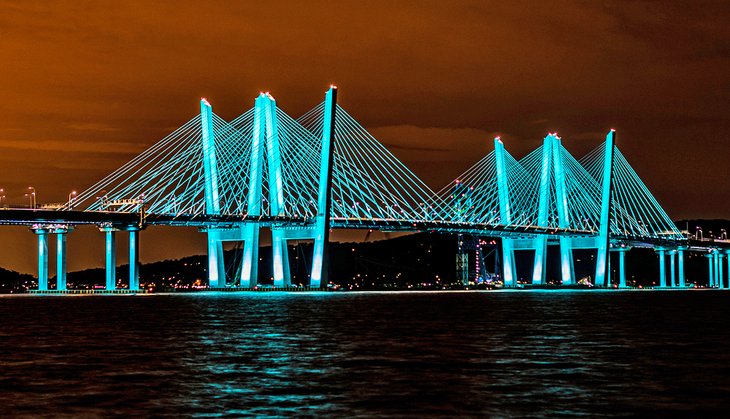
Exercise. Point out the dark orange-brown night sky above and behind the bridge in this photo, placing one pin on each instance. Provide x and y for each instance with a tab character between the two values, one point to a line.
87	85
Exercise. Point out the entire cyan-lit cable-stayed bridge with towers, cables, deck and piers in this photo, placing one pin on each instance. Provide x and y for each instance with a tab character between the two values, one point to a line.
303	177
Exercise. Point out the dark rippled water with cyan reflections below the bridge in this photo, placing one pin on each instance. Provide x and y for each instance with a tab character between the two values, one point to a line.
367	354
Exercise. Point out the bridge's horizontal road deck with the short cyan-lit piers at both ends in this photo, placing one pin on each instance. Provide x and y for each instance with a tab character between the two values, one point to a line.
44	222
